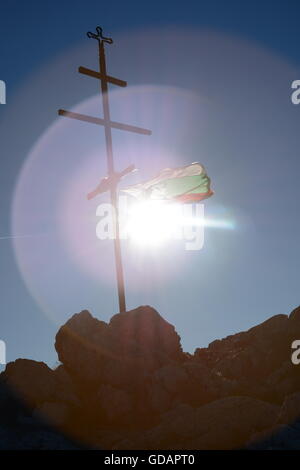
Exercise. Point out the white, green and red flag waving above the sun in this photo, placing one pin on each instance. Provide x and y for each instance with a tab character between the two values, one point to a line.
184	184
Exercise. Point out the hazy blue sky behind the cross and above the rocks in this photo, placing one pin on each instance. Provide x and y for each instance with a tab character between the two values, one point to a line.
238	59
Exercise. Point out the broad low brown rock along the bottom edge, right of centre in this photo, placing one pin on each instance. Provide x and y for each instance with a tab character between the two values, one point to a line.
223	424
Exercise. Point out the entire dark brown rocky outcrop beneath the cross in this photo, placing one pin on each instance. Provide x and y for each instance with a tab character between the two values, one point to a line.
127	384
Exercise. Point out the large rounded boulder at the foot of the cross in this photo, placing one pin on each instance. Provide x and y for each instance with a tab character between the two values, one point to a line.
121	353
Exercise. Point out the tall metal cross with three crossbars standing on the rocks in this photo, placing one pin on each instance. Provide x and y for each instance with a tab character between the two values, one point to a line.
108	124
